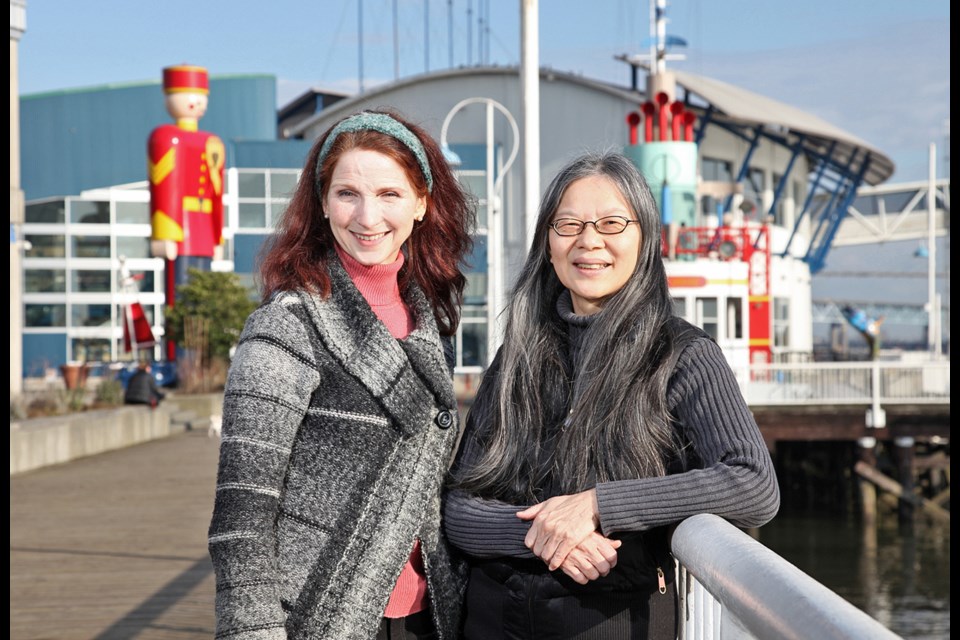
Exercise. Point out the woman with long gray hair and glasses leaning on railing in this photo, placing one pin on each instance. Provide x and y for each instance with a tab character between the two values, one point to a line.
603	421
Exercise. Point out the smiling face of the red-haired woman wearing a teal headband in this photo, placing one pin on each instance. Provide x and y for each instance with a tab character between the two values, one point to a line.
372	206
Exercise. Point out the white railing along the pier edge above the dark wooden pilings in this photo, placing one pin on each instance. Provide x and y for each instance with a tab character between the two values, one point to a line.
858	383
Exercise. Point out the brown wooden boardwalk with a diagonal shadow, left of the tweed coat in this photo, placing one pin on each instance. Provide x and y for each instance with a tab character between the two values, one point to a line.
114	545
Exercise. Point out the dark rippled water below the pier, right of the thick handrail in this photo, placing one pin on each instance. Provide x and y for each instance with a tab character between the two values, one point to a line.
898	576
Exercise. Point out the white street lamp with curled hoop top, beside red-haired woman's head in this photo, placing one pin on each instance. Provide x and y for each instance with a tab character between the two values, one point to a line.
494	189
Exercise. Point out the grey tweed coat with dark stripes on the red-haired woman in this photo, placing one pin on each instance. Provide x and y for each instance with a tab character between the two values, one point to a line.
336	439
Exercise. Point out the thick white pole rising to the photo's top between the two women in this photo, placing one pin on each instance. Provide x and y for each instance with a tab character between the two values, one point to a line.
530	88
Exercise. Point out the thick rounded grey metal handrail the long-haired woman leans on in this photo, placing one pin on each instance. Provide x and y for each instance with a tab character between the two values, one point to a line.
731	586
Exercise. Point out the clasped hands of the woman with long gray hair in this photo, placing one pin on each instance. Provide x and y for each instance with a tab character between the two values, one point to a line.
564	533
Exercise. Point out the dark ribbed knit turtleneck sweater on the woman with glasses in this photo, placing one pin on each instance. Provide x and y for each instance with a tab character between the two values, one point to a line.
733	478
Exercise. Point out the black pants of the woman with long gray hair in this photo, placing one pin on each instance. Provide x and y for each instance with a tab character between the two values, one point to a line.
529	608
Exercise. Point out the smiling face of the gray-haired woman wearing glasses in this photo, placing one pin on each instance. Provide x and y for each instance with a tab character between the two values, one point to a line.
591	265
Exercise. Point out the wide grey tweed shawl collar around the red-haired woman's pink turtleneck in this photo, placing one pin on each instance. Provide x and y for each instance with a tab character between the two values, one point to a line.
408	377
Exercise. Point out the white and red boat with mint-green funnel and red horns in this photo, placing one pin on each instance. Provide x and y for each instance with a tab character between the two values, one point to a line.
719	264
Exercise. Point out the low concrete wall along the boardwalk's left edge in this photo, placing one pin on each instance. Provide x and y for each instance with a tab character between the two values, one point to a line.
42	442
